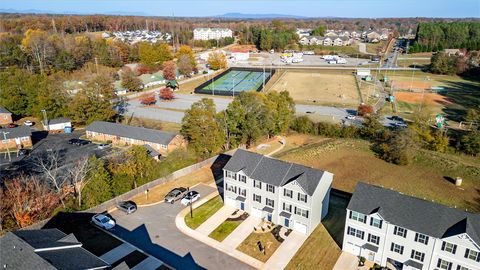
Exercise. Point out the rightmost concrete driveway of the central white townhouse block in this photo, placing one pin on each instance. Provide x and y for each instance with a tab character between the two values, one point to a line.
285	252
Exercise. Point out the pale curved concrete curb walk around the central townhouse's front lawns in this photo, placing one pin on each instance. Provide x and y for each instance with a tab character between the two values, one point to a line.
180	223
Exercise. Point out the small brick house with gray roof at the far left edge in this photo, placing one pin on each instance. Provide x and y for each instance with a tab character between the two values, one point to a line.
16	138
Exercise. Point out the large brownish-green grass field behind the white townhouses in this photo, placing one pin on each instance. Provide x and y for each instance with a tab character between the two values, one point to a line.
427	177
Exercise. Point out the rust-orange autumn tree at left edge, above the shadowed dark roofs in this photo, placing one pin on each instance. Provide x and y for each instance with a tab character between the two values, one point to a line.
28	200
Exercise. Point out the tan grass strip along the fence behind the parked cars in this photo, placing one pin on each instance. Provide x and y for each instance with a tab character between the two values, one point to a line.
158	193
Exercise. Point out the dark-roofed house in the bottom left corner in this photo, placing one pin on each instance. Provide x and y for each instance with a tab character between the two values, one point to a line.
46	249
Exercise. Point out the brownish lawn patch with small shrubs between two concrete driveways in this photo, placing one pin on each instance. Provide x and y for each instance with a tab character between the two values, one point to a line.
249	246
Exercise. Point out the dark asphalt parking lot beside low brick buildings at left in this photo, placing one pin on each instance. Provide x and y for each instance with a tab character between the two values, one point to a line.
43	144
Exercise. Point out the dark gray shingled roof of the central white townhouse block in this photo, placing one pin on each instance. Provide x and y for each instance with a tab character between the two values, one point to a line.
273	171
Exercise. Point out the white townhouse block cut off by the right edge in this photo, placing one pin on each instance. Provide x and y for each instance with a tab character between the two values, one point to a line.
404	232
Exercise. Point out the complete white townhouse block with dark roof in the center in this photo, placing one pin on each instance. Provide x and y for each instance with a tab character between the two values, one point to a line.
284	193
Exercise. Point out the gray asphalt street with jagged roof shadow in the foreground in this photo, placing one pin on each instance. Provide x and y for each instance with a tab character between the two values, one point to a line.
153	230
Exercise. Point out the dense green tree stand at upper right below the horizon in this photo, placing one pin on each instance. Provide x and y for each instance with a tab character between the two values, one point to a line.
436	36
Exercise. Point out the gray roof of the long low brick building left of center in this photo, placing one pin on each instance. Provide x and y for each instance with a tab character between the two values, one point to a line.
138	133
